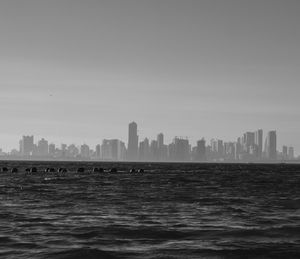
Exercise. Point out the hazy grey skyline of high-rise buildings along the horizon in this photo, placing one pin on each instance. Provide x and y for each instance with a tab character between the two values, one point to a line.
250	147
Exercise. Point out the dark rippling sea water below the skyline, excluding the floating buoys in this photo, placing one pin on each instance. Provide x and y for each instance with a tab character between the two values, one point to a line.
169	211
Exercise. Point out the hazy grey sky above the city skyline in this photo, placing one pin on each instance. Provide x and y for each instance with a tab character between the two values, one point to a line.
79	71
